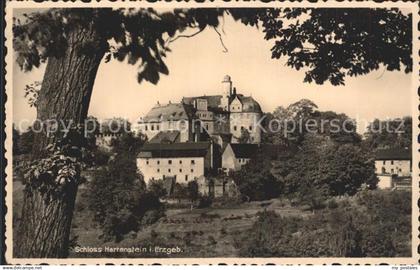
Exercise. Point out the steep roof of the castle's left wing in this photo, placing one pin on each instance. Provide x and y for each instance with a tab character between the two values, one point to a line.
171	111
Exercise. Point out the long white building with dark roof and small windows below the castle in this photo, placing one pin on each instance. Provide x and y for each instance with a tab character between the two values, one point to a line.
182	161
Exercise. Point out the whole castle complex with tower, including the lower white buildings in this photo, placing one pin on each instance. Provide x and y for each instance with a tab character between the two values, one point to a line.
200	136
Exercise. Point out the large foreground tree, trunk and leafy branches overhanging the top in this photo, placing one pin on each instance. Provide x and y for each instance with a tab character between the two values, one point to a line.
73	42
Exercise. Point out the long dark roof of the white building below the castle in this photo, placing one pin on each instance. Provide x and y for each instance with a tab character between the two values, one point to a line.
187	149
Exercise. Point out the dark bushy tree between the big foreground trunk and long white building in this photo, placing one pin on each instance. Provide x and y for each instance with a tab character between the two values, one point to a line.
121	203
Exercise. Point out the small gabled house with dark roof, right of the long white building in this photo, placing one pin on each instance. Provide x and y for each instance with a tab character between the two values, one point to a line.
236	155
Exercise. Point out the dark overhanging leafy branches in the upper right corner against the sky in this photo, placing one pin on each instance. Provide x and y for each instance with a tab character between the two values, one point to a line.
331	44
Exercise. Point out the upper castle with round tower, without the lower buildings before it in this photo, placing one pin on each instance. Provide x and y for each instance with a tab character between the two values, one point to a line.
224	117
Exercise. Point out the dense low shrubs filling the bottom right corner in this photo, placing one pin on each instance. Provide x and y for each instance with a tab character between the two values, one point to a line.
376	224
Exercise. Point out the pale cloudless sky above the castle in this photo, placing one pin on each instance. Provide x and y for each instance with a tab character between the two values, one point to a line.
197	66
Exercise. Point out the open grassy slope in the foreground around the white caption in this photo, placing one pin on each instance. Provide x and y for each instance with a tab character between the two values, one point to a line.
200	232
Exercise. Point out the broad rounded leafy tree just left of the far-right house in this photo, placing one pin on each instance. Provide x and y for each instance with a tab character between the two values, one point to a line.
322	164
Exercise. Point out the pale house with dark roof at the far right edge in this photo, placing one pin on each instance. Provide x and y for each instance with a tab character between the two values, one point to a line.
393	167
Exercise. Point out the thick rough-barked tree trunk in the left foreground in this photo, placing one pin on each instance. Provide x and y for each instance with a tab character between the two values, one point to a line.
64	96
